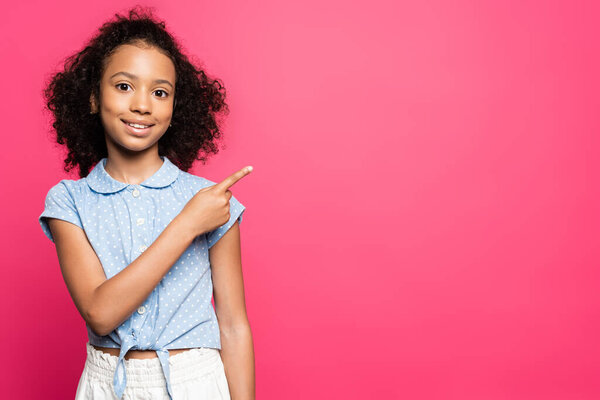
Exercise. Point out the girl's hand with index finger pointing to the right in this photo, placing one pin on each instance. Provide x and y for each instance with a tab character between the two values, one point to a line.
209	208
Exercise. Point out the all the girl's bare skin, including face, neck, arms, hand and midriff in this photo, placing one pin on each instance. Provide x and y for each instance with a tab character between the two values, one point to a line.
106	303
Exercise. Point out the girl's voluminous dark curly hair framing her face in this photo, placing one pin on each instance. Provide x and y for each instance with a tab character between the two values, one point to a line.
195	122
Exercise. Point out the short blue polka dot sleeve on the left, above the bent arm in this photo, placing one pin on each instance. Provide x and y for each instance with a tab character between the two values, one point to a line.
59	204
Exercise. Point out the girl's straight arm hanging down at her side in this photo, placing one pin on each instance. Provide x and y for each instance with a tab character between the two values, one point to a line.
237	350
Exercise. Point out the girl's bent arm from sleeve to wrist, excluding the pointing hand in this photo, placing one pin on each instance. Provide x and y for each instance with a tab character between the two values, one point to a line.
105	303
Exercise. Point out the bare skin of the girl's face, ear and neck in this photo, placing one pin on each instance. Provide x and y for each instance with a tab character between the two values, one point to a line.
133	159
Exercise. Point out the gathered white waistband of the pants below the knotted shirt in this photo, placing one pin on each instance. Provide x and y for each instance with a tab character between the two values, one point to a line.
148	372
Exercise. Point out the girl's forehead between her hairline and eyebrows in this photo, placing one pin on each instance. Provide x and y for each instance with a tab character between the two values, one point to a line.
142	61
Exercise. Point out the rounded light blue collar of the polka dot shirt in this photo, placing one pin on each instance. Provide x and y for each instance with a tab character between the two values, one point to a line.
100	181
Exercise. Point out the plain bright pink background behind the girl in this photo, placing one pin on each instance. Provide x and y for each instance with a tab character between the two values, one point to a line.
423	219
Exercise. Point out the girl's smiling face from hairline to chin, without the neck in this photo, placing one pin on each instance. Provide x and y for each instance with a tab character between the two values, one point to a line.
137	86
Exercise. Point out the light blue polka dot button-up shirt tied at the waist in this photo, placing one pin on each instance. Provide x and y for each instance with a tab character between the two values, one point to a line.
121	220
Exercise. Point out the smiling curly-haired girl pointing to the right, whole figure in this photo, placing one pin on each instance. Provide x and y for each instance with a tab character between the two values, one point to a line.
143	244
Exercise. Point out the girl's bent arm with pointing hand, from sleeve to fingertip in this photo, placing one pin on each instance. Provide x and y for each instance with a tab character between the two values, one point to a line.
105	303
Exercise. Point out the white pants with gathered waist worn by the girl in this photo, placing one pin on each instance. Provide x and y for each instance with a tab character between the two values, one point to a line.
194	374
